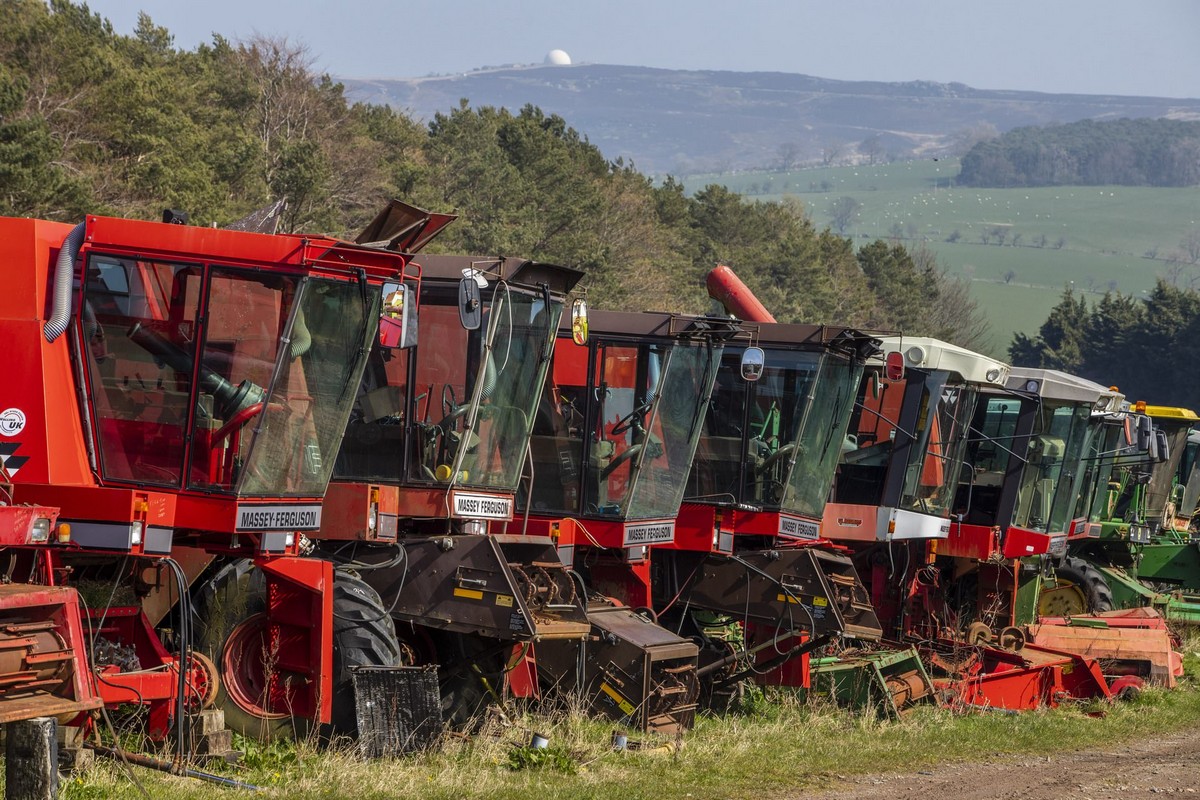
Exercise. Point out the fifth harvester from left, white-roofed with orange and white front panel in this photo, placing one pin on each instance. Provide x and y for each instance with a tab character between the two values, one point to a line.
895	492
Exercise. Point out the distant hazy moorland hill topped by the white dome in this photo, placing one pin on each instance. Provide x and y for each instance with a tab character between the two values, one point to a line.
689	122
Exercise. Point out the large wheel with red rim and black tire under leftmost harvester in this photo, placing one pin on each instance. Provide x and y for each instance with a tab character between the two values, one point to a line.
231	612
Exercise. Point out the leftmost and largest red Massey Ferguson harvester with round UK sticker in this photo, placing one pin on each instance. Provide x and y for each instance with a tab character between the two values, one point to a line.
184	401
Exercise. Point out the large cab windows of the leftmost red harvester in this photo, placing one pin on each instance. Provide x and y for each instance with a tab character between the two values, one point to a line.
261	416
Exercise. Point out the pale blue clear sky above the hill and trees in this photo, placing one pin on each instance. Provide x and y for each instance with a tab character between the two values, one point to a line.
1094	47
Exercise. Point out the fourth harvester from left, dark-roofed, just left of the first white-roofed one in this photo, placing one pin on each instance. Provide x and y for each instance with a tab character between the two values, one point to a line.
743	574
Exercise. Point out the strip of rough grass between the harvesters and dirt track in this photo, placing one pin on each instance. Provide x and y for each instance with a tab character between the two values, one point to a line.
779	750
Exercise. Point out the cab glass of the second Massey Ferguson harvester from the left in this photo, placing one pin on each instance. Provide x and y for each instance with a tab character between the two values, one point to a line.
481	388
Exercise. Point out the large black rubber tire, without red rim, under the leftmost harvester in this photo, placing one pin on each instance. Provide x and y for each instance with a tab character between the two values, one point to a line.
364	635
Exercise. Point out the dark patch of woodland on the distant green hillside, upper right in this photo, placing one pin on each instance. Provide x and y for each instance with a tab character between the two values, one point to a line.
1089	153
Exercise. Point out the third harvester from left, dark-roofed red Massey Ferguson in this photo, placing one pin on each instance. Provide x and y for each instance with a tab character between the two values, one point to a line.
611	450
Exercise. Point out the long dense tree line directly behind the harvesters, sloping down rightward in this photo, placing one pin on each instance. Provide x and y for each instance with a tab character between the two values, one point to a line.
93	122
